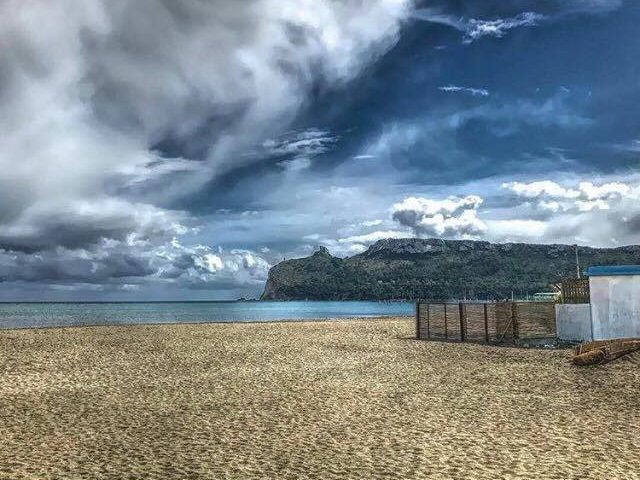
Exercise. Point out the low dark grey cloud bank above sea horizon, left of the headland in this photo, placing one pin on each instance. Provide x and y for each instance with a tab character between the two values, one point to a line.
113	262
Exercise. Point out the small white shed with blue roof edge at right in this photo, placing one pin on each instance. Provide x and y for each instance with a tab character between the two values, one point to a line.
615	301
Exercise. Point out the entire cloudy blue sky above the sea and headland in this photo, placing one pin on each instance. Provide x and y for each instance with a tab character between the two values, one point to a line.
162	150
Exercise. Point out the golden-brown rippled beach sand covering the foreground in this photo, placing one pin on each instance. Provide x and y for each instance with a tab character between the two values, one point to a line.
325	400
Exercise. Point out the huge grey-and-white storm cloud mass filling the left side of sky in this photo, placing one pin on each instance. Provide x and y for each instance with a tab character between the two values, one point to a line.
114	110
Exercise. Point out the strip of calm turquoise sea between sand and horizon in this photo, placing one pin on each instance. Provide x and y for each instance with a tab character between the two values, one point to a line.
24	315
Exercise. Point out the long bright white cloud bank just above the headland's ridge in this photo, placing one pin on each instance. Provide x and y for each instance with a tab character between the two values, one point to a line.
611	220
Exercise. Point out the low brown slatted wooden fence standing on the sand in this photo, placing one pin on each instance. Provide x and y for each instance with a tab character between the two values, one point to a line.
495	322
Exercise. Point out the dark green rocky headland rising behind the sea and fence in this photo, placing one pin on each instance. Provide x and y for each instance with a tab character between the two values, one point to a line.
433	268
